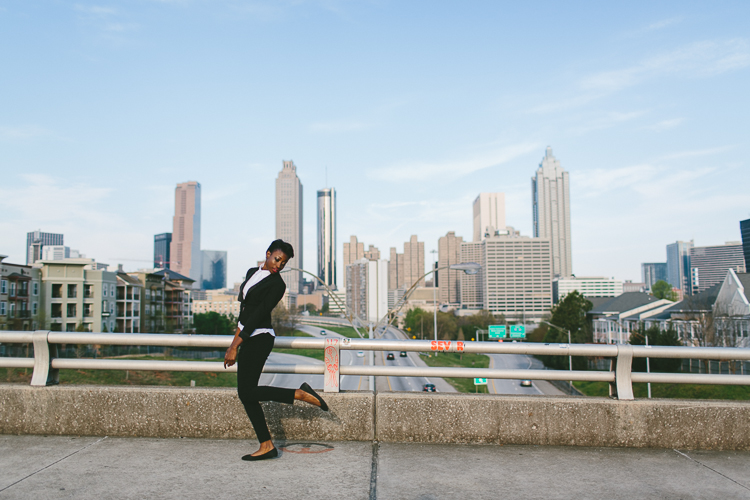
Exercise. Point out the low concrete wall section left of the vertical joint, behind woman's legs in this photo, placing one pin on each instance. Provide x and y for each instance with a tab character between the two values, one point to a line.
168	412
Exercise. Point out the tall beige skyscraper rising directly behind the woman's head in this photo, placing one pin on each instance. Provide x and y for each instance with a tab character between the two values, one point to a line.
289	221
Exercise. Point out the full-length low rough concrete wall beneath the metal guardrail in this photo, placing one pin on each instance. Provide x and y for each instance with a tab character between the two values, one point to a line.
390	417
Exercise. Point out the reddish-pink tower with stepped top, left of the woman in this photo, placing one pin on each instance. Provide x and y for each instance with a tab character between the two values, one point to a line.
185	249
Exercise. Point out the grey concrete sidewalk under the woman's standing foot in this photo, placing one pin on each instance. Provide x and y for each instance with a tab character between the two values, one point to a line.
33	467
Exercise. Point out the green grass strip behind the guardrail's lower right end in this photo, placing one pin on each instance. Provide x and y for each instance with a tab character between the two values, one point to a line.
675	391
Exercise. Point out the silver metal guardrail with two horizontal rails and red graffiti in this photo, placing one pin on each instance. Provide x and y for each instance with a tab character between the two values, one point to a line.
46	364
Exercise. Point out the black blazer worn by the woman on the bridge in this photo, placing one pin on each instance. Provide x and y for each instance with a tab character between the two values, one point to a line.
255	311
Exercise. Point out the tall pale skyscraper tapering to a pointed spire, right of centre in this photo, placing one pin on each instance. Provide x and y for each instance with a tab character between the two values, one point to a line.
550	194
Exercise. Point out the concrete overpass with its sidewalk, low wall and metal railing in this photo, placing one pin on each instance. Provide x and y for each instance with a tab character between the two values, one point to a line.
139	441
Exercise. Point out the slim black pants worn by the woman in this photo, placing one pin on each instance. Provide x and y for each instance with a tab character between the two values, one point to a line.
251	357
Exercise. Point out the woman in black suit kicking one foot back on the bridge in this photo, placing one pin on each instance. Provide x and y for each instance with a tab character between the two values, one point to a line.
262	289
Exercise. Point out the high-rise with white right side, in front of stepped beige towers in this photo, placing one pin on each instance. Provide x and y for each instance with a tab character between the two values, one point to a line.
367	289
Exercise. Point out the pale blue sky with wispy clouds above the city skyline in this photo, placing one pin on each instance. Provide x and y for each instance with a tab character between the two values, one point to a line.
643	106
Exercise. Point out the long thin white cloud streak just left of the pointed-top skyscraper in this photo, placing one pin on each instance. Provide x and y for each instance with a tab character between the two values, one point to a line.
414	171
